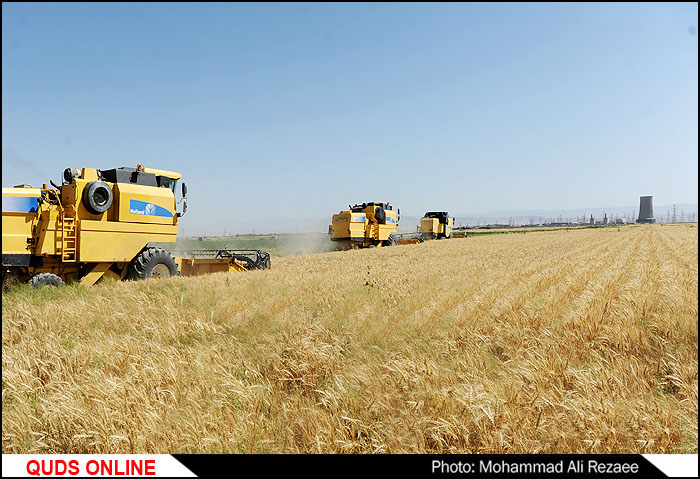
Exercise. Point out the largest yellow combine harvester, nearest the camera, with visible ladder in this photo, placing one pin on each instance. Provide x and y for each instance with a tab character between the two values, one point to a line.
98	224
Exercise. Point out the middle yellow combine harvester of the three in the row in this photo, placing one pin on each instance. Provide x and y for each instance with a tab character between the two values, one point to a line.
368	225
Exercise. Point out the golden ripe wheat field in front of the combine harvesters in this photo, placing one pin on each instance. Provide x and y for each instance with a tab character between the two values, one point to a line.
578	341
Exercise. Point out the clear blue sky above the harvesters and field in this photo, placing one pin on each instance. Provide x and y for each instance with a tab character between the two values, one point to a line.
295	110
